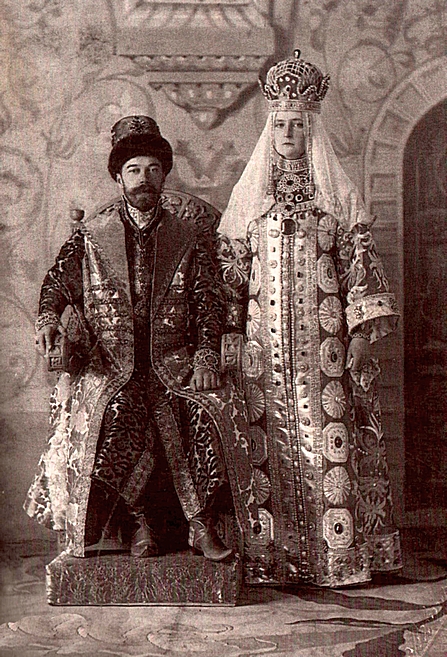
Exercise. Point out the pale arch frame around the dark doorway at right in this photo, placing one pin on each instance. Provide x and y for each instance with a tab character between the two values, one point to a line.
413	98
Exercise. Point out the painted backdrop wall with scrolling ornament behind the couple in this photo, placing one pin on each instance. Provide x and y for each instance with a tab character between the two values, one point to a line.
71	69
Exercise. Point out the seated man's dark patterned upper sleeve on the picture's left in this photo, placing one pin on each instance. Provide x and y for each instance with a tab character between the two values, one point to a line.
63	283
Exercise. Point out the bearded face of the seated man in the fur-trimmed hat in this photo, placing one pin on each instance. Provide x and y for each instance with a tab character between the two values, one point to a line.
141	181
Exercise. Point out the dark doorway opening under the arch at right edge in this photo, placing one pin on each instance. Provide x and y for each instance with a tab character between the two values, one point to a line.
425	276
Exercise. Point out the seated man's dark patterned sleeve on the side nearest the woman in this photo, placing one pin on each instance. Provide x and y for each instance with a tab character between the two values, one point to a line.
206	297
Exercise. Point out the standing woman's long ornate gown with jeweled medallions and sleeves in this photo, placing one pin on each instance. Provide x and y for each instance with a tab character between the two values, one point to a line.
317	442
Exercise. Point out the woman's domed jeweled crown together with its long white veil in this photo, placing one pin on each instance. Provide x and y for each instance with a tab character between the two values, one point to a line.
293	85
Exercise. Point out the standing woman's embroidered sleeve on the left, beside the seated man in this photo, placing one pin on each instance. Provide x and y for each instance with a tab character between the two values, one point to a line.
234	258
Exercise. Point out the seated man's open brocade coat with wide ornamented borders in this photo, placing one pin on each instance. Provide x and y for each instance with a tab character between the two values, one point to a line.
59	496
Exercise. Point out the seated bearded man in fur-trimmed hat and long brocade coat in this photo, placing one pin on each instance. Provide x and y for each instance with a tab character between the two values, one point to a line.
149	319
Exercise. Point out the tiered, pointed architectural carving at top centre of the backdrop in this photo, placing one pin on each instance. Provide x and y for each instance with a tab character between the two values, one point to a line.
215	51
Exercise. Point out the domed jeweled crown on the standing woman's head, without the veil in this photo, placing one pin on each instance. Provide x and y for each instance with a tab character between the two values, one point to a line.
295	84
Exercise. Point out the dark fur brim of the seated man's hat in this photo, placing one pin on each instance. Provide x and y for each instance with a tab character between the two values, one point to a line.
135	145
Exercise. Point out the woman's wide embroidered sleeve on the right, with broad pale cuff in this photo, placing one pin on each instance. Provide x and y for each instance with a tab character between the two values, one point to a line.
371	309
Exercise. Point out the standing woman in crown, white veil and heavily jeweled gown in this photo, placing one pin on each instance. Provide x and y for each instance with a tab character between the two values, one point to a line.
318	298
